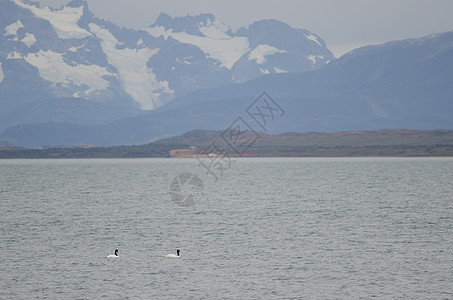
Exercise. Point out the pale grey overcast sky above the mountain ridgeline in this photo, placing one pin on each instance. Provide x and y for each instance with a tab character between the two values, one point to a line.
343	24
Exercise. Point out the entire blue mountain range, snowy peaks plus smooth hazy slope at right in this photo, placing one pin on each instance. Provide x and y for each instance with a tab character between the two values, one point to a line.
119	84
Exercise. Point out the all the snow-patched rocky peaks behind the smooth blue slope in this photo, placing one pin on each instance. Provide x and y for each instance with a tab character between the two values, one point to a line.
48	53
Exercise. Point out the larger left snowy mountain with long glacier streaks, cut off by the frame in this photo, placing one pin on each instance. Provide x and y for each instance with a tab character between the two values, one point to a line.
70	53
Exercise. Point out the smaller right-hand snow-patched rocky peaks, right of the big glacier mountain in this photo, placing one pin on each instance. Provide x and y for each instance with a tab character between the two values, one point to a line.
266	47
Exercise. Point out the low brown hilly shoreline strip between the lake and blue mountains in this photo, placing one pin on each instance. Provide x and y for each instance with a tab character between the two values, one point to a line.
400	143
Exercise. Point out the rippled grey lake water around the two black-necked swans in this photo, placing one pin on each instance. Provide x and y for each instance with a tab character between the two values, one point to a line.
277	228
